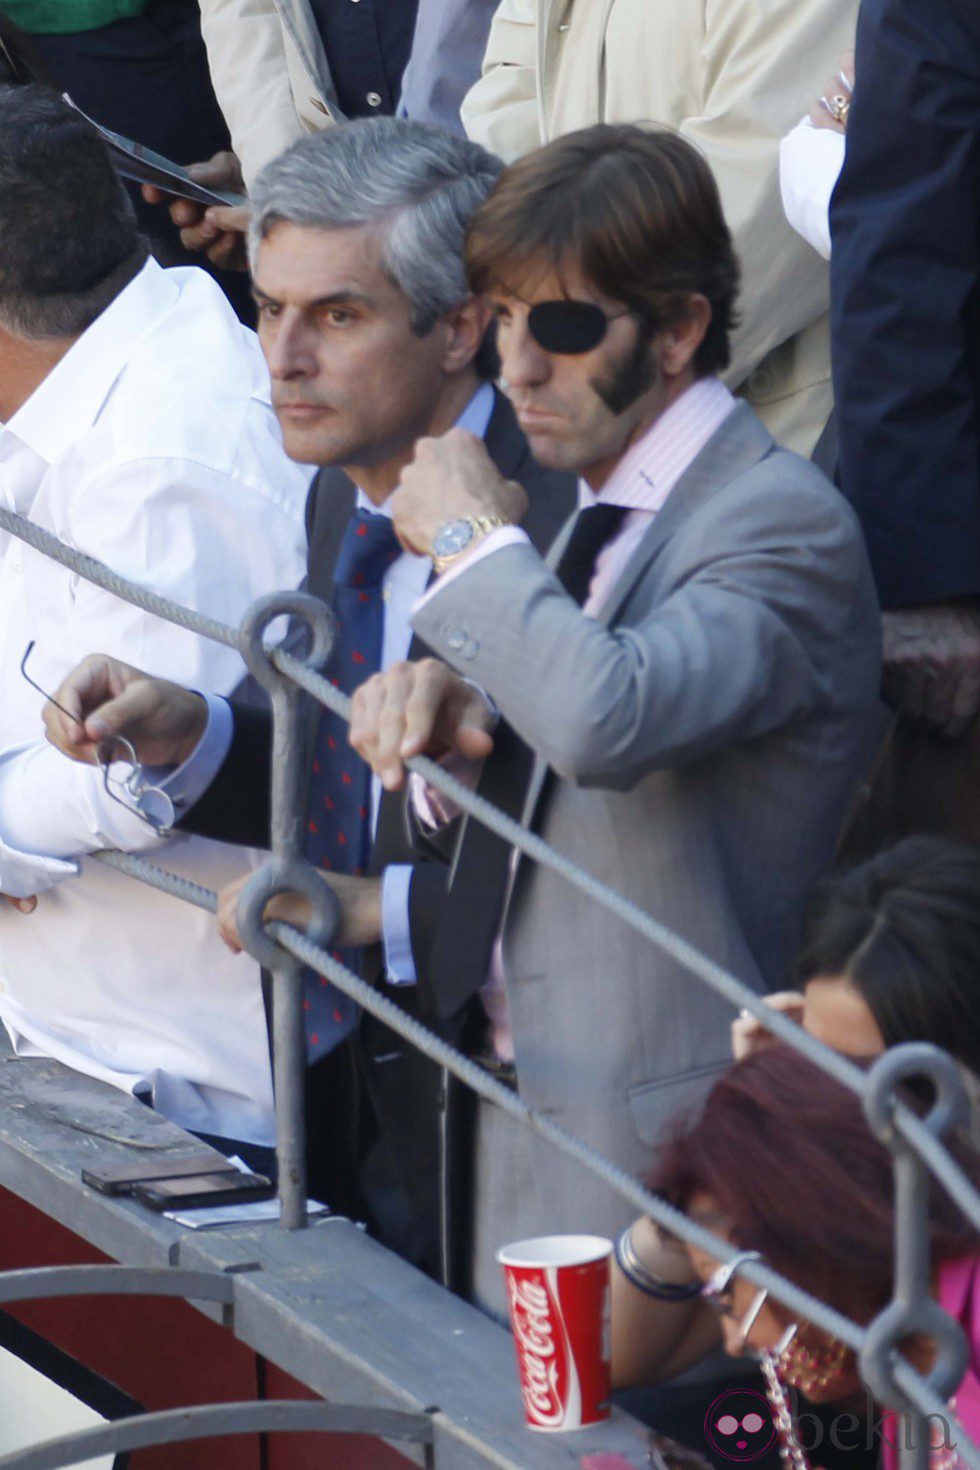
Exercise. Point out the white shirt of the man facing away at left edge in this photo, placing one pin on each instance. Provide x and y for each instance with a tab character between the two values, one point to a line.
154	448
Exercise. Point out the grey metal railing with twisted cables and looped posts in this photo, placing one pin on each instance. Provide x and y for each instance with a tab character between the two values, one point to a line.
920	1144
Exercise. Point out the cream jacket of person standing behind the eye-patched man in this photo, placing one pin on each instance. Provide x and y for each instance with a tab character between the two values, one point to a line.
732	77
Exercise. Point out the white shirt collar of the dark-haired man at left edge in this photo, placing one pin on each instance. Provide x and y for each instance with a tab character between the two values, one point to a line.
70	401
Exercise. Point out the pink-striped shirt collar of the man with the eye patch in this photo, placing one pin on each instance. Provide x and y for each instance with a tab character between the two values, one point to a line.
652	468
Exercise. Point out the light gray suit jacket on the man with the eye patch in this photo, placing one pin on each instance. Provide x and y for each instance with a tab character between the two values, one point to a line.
709	731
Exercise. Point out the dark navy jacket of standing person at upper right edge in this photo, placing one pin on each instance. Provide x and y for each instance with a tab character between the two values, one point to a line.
906	296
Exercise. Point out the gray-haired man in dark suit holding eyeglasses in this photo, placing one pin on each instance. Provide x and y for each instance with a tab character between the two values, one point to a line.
372	339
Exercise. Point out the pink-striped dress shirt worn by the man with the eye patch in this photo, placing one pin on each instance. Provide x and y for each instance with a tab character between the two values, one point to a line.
643	481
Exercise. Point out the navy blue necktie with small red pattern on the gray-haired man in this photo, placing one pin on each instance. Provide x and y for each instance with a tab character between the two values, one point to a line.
339	827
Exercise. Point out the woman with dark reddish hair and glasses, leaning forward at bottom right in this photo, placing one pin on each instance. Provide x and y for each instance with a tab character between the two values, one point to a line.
782	1164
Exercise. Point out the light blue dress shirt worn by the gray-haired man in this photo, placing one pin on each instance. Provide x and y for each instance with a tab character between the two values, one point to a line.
403	584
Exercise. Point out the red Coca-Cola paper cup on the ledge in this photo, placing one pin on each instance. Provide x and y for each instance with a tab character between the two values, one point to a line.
559	1300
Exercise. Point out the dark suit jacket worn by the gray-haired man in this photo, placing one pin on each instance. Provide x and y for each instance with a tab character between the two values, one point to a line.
405	1089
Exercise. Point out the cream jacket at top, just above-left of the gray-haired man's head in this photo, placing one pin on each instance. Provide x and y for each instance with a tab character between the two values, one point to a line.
270	74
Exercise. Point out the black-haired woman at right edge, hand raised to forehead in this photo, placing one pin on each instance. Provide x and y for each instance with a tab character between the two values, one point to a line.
893	953
